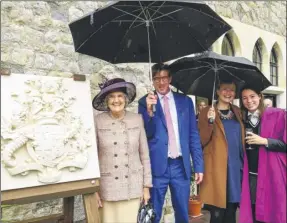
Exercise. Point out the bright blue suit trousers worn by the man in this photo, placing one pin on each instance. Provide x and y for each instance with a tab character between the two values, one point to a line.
179	185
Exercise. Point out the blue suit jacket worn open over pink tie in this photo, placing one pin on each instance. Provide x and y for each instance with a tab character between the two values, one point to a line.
156	131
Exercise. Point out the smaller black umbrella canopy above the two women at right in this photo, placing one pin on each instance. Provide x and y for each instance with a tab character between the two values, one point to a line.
200	74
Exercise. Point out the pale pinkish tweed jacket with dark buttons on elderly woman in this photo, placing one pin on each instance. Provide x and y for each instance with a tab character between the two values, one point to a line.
123	156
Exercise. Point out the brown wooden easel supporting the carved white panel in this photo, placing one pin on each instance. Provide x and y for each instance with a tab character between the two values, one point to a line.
86	188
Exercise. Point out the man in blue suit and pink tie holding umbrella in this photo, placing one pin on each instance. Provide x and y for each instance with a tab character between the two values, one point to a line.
173	138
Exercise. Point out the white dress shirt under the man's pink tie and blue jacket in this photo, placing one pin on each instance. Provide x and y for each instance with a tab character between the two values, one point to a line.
173	113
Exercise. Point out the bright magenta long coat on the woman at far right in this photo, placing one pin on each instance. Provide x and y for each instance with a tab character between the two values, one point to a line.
271	184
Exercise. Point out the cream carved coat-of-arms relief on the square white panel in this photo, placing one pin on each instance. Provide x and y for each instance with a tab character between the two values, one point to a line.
43	135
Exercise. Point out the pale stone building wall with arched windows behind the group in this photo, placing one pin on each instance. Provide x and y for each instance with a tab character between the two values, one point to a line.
35	39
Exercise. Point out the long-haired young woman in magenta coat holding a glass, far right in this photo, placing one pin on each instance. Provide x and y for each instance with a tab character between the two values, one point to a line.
263	197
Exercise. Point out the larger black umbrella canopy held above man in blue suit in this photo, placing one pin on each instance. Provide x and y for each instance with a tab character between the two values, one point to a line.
147	31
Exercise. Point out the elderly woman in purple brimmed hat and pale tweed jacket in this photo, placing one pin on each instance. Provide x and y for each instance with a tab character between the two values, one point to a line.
123	153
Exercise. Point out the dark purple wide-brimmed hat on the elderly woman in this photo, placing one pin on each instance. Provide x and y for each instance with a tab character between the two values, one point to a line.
112	85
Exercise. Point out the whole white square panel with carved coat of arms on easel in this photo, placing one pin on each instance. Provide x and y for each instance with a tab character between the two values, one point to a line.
47	131
